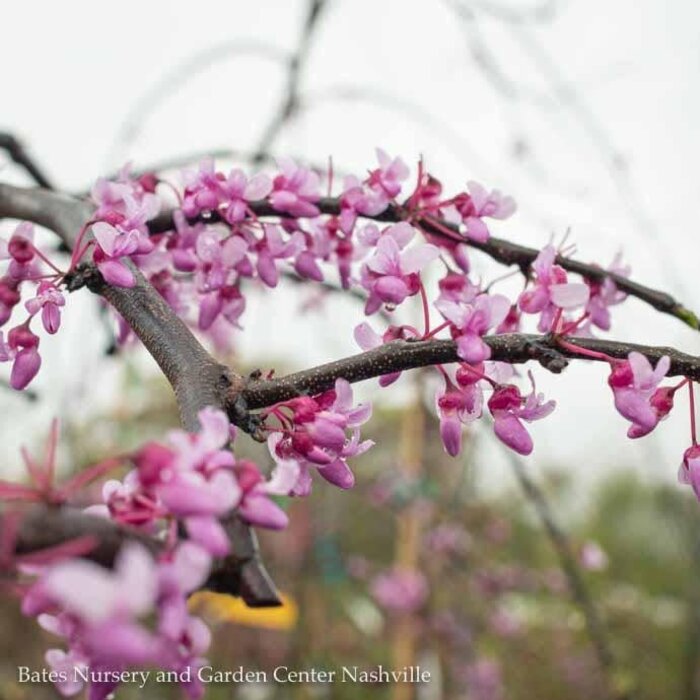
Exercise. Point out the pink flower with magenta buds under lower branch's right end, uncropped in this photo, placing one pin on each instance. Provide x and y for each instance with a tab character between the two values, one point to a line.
634	383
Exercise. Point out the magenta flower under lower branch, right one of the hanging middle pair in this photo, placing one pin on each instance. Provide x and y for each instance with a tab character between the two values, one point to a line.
509	408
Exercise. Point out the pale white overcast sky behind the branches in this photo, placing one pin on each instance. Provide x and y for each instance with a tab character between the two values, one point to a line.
586	111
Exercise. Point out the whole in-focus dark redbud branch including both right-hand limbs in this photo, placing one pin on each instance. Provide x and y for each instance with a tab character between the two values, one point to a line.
198	380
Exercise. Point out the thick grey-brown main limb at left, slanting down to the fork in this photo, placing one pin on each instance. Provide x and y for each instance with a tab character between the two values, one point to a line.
197	379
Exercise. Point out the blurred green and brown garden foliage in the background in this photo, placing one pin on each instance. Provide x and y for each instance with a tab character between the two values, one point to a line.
493	618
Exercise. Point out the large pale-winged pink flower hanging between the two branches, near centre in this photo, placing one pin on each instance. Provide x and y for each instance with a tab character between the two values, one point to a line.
392	273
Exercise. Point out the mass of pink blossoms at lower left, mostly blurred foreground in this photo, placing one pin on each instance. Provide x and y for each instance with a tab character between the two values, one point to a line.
136	616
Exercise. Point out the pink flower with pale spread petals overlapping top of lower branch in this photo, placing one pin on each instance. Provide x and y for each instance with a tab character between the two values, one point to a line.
471	321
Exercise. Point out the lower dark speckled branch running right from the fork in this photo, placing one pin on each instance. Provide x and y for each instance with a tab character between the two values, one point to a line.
399	355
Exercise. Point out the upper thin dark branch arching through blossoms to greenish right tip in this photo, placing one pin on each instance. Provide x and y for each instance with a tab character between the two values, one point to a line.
498	249
